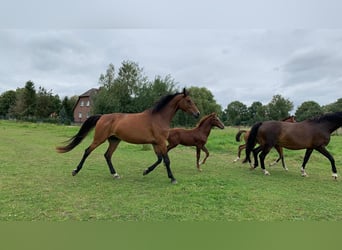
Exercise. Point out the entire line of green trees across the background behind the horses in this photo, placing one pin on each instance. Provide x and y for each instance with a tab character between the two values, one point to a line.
129	90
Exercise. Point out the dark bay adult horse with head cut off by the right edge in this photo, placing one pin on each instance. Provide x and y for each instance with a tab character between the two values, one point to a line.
311	134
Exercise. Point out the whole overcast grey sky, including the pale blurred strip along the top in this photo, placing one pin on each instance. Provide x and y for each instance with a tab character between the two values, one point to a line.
239	51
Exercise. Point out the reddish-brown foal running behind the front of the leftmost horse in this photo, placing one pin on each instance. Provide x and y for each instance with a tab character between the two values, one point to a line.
197	136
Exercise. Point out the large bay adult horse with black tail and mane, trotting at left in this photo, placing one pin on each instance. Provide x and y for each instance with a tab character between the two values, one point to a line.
148	127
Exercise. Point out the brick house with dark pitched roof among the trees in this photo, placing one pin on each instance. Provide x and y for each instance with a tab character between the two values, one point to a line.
83	105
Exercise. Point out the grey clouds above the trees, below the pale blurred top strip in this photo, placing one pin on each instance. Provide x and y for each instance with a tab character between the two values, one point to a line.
245	64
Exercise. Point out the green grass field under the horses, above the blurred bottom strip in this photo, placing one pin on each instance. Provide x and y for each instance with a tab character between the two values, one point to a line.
36	182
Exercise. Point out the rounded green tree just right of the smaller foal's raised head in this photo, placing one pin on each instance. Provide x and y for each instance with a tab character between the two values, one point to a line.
237	113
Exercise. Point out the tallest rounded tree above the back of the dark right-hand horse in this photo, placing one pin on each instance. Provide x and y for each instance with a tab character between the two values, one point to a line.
279	108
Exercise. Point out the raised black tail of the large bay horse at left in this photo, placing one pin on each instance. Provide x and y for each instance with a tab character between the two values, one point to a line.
88	125
